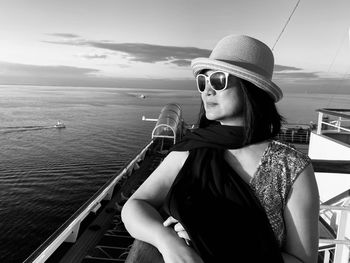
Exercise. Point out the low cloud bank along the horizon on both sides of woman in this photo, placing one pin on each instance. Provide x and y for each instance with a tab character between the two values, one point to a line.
13	73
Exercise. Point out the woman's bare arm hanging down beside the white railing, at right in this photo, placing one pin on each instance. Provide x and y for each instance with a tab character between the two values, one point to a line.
301	218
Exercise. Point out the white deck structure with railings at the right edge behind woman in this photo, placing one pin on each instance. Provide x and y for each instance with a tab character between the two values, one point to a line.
331	143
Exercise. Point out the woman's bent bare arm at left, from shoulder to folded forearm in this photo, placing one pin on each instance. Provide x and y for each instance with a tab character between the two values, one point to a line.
142	219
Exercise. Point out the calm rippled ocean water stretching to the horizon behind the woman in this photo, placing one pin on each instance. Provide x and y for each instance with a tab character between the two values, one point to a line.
46	174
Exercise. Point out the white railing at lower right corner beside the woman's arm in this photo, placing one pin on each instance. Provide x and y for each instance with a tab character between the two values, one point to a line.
336	250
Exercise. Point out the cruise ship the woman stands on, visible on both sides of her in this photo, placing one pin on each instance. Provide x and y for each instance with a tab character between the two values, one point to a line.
95	233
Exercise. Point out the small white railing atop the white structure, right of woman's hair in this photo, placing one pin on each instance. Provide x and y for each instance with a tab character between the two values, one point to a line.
342	116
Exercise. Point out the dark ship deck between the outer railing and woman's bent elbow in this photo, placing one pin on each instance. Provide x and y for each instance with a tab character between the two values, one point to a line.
105	238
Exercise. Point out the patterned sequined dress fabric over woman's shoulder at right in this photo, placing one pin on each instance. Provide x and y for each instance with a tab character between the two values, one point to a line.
279	167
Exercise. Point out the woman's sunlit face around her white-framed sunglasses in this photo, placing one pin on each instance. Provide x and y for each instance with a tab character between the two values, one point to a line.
224	106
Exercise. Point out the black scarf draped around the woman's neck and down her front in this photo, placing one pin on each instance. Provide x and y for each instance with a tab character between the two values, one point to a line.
221	214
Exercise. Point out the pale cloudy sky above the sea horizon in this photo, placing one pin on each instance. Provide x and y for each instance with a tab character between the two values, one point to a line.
150	43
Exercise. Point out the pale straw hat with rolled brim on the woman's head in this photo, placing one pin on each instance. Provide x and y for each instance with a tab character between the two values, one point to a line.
244	57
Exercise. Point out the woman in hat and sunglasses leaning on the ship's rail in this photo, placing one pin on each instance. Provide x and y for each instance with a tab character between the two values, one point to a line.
232	193
